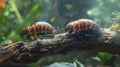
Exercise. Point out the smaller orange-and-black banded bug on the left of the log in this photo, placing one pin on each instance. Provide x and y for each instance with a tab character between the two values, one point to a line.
37	29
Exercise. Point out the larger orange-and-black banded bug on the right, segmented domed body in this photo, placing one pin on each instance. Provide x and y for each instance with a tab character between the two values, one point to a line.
82	25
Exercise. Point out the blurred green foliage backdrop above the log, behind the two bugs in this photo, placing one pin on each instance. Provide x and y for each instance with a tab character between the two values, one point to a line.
19	14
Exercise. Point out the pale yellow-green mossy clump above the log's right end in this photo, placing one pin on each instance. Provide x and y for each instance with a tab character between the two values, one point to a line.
116	25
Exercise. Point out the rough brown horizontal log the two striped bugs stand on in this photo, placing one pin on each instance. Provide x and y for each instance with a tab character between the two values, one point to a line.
28	52
